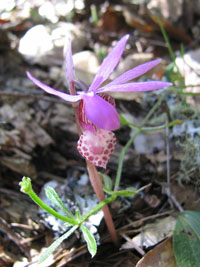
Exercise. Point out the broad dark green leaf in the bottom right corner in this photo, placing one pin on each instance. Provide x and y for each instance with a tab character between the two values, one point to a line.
186	239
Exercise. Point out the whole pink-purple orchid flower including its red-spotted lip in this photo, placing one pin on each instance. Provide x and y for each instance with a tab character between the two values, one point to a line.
98	116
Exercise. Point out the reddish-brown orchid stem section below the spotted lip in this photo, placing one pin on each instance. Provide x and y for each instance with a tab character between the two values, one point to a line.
98	188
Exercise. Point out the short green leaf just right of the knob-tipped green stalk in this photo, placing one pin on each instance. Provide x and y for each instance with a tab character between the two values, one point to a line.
55	199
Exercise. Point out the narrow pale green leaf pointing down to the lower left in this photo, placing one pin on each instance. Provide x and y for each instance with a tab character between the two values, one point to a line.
57	243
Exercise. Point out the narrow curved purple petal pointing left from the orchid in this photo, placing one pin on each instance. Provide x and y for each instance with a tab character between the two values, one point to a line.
46	88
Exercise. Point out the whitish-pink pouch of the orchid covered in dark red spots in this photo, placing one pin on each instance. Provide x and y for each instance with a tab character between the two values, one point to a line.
97	147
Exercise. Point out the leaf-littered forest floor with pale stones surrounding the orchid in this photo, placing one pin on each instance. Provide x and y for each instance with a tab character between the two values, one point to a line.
38	133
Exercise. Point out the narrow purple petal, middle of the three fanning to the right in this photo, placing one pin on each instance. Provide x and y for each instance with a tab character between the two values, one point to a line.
135	72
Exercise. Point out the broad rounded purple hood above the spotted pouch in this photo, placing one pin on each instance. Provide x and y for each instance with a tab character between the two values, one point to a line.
100	112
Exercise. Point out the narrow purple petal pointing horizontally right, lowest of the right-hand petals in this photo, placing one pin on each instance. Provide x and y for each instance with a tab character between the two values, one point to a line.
139	86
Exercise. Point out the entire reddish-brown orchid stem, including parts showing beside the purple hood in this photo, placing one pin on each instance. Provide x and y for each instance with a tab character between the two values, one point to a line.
95	179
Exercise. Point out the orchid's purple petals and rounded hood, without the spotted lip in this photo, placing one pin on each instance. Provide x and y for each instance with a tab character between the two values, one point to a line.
100	112
